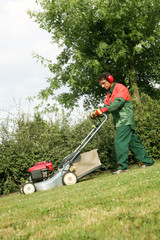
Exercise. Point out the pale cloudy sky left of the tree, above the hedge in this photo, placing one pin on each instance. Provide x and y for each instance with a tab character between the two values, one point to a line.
21	76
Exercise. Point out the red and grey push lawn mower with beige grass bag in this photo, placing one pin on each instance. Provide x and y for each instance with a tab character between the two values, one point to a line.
70	170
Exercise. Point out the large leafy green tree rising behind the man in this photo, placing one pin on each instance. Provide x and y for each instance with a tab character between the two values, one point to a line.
122	37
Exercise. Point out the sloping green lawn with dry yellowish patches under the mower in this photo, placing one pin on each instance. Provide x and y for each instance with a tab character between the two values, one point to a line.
125	206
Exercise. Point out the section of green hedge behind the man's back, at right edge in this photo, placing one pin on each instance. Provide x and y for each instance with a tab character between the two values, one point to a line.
147	117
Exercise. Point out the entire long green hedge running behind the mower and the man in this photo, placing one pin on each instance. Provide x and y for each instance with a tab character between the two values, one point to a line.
28	141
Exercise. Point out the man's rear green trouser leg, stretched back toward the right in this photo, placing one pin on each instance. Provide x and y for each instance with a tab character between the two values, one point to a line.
138	150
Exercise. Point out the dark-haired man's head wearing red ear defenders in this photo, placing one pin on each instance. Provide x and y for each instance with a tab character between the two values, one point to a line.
106	80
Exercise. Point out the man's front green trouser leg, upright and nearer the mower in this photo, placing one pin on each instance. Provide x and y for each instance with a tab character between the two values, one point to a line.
122	140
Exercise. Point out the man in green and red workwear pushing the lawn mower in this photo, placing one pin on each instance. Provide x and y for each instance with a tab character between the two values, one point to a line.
118	103
